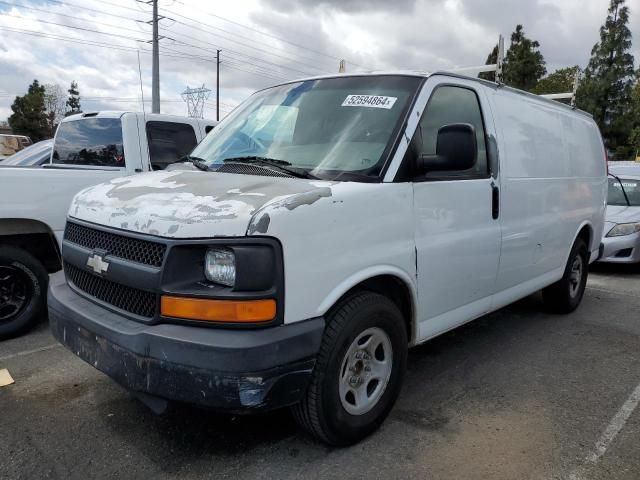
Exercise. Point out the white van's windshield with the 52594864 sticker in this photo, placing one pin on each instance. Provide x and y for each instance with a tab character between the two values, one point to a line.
328	127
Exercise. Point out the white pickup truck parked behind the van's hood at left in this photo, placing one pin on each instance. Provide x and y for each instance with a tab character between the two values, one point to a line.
89	148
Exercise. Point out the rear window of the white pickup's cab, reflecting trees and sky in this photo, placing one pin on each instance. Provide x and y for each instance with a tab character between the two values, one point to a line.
89	141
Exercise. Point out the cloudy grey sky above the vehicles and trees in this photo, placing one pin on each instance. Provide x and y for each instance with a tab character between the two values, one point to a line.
262	43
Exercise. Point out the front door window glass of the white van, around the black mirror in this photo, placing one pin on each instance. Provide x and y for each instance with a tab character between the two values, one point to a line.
448	105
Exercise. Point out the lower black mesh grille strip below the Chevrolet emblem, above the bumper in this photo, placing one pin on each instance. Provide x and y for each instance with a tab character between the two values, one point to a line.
132	300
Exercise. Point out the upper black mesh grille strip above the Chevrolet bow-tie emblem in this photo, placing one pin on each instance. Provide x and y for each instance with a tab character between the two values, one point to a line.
136	250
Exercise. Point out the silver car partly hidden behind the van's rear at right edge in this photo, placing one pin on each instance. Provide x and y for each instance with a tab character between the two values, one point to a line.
621	239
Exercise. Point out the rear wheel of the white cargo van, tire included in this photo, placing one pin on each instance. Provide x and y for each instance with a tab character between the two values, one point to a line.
565	295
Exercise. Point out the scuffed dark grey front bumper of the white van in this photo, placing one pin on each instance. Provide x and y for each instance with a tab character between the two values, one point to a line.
232	370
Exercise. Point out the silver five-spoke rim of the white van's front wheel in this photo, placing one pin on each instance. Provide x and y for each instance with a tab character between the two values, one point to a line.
365	371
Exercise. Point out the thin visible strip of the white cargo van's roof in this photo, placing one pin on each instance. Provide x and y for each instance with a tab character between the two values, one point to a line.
424	74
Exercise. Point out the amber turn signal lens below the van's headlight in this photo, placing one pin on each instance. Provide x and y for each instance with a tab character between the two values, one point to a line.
241	311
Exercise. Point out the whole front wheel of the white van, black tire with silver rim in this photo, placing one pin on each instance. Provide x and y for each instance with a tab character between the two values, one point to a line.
368	318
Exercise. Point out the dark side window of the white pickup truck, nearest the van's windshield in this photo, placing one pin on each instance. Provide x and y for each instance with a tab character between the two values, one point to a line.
168	142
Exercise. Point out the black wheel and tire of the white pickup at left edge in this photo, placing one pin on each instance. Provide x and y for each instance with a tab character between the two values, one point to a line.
23	291
